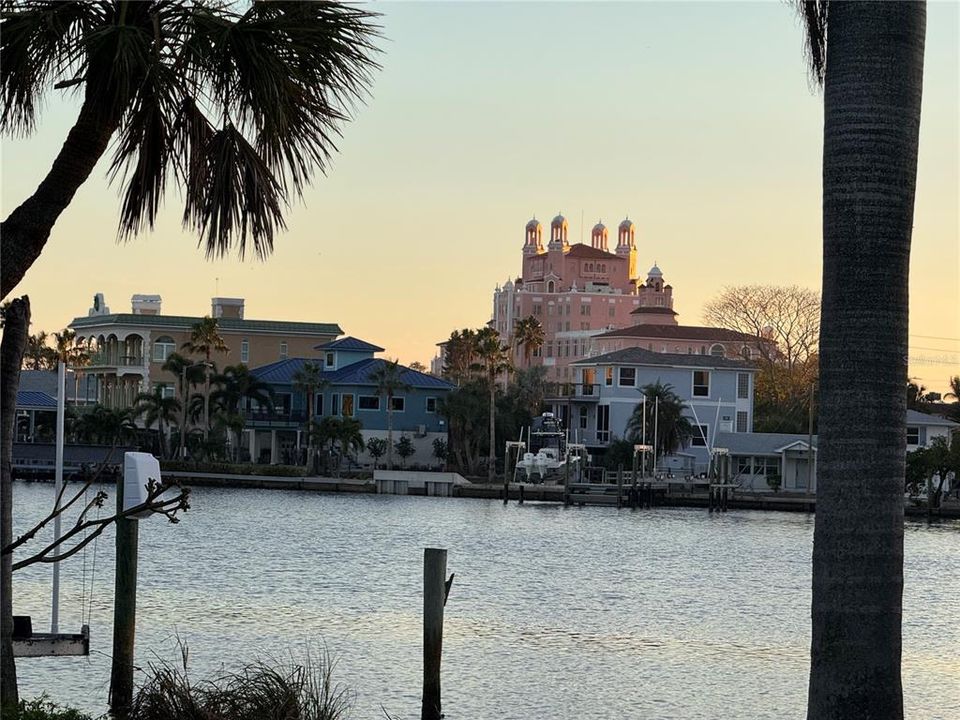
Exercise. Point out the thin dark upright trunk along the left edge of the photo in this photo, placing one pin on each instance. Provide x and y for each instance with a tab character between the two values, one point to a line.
16	325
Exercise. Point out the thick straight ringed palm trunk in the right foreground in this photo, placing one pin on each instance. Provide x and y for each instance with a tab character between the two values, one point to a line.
873	86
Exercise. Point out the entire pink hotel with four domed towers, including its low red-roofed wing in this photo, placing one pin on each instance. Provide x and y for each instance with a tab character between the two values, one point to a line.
590	301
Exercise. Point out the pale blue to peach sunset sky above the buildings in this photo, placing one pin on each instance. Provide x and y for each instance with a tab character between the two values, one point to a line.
695	119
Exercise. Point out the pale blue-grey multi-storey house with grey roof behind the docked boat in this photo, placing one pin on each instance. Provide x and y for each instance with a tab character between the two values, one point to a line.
717	392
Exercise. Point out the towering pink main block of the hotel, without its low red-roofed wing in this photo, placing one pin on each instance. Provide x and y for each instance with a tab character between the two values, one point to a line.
579	291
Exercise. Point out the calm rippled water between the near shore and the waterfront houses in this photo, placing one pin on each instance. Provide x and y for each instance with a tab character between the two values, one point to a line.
554	613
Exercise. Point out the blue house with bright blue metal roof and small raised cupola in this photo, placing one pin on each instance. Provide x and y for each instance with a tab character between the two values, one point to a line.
348	368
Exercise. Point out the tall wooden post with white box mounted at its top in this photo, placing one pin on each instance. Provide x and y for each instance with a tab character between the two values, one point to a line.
124	612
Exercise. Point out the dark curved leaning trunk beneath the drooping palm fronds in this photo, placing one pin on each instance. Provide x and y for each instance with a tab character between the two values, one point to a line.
26	230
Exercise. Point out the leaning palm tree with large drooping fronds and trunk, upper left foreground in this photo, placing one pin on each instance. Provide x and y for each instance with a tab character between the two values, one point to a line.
240	105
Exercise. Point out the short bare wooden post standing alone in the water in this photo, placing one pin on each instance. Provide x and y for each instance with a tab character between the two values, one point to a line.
434	595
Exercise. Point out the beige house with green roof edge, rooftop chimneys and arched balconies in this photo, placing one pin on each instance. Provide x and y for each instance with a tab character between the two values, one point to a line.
129	349
